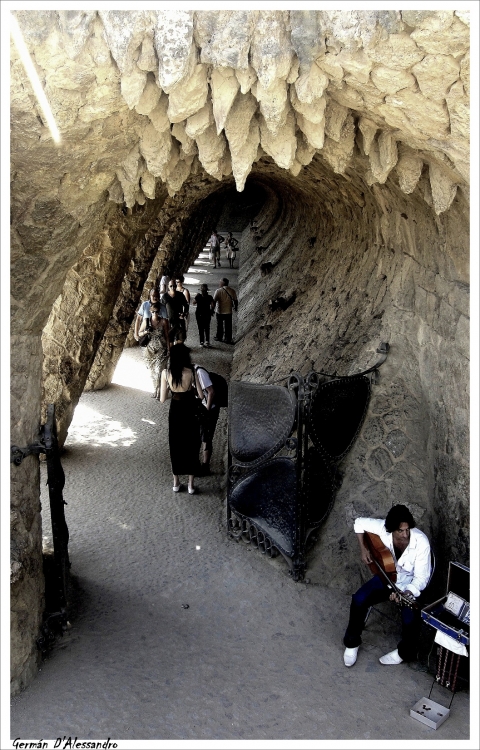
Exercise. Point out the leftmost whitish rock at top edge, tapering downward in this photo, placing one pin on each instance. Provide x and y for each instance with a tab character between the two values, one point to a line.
124	31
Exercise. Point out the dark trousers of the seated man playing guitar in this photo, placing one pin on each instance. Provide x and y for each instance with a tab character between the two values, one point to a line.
371	593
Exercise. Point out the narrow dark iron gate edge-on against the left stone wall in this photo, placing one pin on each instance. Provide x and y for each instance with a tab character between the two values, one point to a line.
55	616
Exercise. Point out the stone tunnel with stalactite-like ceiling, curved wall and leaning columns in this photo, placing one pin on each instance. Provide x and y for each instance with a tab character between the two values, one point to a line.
337	143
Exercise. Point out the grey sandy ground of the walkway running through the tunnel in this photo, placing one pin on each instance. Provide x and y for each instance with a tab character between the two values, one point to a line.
178	632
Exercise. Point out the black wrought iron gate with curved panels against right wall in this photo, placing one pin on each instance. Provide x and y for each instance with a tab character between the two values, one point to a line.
285	444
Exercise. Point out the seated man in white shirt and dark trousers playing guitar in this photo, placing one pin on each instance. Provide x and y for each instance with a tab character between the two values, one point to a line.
410	549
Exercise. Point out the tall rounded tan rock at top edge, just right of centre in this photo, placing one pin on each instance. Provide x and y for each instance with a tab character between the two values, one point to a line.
270	53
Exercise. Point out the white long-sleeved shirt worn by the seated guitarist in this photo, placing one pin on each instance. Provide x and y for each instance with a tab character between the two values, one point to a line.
414	564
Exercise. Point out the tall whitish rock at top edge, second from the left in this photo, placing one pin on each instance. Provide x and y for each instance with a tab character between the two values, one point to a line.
173	40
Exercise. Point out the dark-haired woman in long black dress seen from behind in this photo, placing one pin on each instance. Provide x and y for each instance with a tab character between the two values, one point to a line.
183	424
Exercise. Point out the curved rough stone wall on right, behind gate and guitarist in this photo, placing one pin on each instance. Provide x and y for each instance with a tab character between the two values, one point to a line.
357	266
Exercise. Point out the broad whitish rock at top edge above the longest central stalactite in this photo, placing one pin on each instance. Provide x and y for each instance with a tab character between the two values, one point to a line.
224	37
